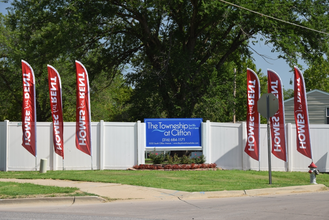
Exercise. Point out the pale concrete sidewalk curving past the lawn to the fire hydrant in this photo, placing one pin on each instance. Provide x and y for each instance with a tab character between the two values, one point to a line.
121	192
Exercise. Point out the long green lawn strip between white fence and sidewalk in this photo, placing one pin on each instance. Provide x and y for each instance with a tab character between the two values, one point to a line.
191	181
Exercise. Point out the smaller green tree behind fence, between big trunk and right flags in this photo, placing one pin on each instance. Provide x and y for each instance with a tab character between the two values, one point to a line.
219	104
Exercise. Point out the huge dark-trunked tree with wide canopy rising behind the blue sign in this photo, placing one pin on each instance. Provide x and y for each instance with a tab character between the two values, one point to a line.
180	53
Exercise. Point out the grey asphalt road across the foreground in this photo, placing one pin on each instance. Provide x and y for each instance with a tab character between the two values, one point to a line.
292	206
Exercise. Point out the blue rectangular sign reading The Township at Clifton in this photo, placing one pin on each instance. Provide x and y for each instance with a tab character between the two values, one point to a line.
173	132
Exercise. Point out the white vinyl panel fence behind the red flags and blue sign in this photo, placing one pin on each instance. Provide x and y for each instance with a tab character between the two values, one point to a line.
120	145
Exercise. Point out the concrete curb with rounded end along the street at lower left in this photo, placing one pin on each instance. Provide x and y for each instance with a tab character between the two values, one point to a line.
70	200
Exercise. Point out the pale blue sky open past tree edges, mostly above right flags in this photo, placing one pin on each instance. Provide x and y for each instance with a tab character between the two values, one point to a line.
278	65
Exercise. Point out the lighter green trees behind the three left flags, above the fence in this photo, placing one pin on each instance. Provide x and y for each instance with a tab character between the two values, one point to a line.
107	99
